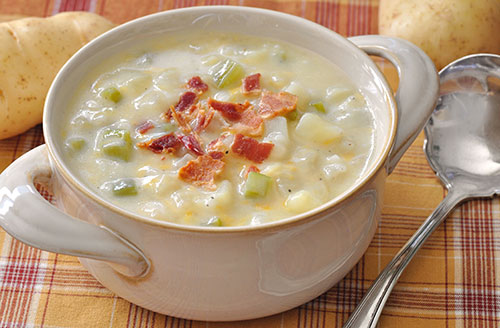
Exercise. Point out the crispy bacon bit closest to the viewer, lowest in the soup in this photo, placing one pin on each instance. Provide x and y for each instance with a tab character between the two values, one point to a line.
202	171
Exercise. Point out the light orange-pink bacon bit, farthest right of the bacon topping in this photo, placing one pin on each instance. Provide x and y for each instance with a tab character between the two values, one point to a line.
272	104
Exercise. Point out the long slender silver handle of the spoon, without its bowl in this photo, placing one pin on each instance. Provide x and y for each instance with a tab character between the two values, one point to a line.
368	311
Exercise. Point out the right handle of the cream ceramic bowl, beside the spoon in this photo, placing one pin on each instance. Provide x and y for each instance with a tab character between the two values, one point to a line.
418	87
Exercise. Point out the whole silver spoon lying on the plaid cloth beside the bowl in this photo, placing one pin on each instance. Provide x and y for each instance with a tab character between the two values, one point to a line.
463	147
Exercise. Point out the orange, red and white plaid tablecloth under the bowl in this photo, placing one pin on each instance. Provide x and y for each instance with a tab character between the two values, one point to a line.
452	282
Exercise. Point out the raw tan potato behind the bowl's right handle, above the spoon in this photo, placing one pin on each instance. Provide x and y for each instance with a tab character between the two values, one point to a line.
445	29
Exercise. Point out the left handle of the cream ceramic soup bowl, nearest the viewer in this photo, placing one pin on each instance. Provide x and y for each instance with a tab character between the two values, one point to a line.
31	219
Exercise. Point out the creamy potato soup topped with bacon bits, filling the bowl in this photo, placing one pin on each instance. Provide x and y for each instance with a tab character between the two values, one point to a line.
218	130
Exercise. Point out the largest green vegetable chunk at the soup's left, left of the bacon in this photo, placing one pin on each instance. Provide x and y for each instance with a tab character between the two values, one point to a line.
117	143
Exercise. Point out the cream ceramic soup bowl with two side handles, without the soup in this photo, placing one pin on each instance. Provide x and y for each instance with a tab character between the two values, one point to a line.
228	273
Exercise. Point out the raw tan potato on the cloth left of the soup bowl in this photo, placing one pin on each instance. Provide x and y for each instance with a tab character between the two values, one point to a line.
32	52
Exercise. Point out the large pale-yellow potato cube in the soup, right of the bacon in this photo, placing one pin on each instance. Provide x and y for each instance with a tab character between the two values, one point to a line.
314	129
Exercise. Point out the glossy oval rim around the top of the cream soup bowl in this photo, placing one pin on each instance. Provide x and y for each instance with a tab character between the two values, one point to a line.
301	218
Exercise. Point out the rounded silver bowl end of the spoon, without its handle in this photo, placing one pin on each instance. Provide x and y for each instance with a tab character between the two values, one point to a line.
462	134
